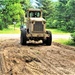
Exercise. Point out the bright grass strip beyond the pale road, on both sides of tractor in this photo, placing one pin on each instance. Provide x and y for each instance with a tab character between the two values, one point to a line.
11	30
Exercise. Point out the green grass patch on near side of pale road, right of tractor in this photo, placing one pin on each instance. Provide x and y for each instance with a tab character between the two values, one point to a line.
65	42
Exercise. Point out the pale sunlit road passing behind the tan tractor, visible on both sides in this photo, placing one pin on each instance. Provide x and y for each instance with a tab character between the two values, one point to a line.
17	36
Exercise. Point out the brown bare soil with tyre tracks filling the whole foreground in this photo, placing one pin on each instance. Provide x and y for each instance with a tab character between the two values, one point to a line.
36	58
